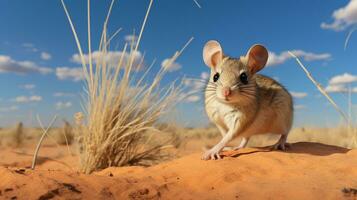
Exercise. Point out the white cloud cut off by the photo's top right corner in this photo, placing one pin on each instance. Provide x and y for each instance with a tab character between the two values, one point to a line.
343	17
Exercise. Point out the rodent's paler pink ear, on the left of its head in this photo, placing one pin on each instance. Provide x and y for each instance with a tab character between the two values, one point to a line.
212	53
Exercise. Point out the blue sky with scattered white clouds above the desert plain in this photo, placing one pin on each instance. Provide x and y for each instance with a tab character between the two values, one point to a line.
38	76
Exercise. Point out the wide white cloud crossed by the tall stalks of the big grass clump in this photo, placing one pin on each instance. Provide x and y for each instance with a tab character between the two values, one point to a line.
111	58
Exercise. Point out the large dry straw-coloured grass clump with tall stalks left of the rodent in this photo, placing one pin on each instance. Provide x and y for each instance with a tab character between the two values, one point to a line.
121	108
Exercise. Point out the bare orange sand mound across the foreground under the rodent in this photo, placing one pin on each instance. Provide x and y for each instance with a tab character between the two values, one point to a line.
306	171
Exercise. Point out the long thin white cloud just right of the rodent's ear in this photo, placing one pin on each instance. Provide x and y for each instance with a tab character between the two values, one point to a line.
277	59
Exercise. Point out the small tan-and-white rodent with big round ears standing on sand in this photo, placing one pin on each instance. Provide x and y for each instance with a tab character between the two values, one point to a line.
242	103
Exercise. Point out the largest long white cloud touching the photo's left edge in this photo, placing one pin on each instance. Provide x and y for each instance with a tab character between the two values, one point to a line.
7	64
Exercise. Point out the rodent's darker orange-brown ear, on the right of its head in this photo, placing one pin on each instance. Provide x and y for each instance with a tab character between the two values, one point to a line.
257	58
